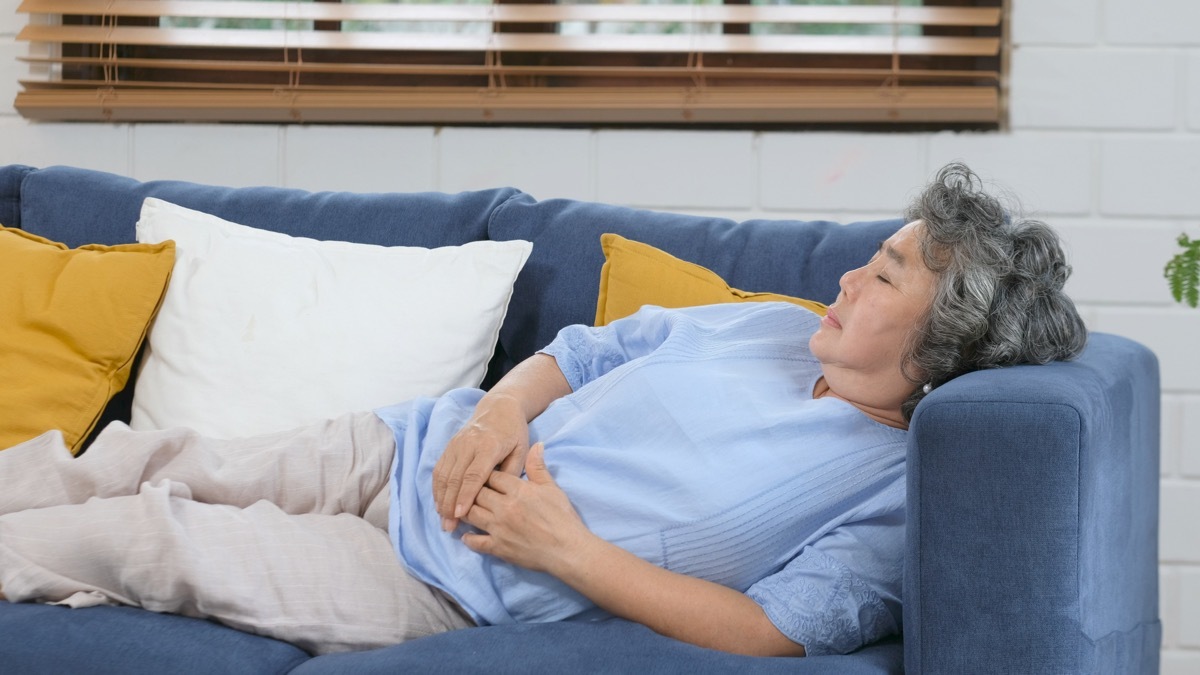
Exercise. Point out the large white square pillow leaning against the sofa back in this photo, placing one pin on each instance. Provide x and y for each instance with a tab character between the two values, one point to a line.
262	332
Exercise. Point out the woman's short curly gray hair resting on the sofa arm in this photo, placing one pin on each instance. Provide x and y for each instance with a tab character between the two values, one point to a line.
999	297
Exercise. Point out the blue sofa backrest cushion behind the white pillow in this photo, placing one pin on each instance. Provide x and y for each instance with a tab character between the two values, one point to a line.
80	207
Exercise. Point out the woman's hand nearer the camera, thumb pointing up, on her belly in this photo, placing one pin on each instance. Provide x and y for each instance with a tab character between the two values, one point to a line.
527	523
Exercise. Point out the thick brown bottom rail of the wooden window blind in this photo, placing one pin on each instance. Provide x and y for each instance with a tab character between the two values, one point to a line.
521	106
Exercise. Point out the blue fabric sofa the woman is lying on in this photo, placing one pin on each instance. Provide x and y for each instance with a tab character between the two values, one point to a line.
1033	519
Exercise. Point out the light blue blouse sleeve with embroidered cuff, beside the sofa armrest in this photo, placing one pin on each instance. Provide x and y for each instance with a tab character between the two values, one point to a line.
842	593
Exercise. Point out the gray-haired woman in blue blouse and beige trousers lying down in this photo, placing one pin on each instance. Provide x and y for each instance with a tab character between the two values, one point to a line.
731	476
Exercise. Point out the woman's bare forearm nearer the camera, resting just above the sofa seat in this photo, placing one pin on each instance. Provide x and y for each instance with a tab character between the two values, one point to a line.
681	607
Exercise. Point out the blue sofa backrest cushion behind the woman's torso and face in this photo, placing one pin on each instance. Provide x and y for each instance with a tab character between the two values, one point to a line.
560	284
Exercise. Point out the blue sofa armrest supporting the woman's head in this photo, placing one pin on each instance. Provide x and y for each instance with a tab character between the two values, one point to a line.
1034	519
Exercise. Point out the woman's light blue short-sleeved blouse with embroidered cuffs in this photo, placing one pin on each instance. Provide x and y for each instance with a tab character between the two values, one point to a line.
691	439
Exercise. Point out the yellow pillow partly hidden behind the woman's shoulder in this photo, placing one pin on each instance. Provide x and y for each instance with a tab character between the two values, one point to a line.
637	274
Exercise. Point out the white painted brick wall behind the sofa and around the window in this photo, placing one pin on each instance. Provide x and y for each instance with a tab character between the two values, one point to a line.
1106	145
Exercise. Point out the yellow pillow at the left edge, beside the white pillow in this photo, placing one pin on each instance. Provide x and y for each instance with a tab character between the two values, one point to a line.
74	320
